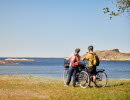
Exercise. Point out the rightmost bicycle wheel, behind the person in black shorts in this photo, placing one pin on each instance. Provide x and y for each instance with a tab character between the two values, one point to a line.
101	79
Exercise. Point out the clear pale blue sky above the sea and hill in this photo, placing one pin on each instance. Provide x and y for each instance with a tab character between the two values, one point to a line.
54	28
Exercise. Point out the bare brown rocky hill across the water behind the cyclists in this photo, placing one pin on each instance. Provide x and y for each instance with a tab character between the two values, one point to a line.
112	55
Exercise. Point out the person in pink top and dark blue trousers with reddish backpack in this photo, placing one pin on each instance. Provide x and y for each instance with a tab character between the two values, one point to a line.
73	67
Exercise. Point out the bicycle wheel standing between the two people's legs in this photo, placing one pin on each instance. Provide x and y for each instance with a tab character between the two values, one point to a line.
83	79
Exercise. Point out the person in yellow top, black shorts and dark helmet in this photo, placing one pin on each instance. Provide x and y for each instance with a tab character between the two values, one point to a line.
91	66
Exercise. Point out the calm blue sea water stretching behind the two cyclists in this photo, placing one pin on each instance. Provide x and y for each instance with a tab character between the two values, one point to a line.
53	67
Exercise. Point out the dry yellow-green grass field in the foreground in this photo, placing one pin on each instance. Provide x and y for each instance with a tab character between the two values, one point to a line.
37	88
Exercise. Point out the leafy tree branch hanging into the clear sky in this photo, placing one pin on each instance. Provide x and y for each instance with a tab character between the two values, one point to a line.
123	6
